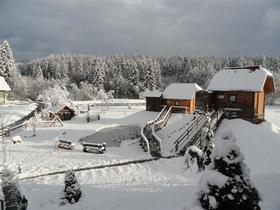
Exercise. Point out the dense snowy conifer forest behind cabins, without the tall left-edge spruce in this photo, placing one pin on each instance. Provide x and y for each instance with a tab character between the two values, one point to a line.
127	76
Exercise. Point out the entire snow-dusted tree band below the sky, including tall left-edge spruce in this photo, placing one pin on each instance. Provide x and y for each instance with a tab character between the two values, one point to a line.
87	77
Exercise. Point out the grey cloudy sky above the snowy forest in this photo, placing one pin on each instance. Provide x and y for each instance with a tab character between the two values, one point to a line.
36	28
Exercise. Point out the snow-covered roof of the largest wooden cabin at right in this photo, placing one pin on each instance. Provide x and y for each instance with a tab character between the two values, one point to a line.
240	80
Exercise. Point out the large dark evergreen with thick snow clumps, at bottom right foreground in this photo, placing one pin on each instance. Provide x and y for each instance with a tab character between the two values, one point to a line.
225	183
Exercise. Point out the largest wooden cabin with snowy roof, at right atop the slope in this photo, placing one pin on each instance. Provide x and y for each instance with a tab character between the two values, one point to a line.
243	90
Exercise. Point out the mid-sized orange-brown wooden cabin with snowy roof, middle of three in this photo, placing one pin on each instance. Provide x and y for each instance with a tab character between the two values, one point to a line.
181	95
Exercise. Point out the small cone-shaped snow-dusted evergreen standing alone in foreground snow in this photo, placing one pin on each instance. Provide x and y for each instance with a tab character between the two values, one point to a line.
72	191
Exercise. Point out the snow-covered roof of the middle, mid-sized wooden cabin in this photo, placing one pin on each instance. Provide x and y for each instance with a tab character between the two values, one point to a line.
181	91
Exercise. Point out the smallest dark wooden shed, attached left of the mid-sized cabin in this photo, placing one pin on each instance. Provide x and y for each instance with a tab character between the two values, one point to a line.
153	100
